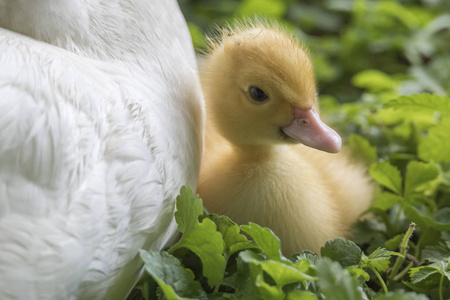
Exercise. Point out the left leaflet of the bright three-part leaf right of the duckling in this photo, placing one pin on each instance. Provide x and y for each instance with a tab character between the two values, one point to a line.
387	175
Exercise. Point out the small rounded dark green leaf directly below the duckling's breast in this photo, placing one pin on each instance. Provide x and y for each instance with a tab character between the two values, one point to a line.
347	253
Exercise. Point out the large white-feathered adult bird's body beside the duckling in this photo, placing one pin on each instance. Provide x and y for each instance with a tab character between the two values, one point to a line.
101	124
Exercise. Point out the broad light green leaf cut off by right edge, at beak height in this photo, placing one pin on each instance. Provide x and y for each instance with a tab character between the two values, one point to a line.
436	145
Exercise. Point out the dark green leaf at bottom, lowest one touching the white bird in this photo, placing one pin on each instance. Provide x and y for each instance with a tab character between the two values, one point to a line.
175	281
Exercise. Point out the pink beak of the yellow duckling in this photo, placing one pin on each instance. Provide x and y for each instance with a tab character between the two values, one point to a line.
308	129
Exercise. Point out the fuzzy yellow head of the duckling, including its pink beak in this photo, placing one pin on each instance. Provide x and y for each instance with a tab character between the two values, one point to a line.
260	89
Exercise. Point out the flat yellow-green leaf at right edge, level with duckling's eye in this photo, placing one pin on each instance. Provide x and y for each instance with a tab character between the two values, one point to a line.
423	102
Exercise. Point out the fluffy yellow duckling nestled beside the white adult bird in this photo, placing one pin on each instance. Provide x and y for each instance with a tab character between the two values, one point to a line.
269	158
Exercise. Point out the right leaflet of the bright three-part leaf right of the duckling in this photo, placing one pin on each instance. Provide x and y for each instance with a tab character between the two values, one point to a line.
418	174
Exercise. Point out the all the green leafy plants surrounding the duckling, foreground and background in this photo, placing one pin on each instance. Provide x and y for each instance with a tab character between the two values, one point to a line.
384	74
